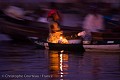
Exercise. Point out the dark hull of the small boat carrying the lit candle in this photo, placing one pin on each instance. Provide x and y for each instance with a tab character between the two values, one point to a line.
59	47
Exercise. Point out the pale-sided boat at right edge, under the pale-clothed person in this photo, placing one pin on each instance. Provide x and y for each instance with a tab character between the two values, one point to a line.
103	46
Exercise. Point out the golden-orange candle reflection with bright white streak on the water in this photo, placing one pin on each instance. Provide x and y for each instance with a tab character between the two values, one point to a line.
58	64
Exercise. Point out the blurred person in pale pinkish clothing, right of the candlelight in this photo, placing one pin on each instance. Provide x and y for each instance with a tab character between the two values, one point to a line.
93	22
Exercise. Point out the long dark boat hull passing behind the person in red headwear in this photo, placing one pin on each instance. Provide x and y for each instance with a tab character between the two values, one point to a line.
21	29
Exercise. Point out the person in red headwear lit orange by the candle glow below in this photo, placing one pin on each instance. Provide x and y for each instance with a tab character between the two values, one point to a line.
54	29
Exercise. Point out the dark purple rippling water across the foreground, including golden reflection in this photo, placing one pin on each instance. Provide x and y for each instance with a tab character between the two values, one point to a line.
24	62
